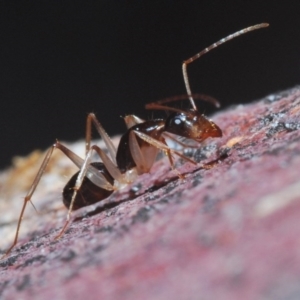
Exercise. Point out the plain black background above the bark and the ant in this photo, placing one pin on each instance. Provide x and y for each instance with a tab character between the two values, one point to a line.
60	60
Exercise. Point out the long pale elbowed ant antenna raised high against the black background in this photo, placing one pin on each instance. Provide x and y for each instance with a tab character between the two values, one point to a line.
214	45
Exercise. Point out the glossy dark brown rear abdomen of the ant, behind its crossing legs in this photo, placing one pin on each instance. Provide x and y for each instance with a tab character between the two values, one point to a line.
88	193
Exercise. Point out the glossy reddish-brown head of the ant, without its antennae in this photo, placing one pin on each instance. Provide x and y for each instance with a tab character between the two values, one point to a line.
192	125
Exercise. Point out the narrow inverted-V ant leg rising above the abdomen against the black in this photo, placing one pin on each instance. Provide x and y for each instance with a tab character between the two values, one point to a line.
91	118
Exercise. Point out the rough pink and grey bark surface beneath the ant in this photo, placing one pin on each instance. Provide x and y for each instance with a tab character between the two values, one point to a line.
228	232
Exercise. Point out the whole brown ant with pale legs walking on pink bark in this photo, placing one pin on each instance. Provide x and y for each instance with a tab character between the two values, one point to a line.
137	149
